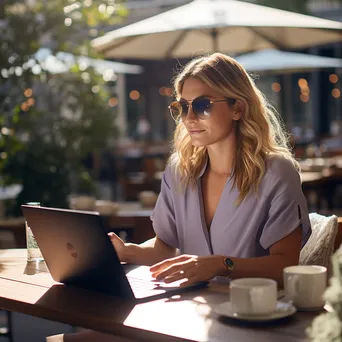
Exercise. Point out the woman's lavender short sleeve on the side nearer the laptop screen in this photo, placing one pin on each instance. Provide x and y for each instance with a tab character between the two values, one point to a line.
163	216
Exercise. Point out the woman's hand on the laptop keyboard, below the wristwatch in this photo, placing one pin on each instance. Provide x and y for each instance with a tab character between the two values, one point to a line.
191	268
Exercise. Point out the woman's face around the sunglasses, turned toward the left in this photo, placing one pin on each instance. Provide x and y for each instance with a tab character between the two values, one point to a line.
219	127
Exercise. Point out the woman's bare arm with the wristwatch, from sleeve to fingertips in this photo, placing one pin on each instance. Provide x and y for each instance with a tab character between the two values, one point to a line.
195	268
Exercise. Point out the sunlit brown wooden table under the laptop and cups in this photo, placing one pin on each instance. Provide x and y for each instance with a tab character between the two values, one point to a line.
190	317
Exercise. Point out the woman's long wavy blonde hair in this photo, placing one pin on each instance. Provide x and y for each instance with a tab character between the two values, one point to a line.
259	131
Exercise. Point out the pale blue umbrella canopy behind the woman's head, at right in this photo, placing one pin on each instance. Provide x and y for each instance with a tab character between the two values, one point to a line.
282	62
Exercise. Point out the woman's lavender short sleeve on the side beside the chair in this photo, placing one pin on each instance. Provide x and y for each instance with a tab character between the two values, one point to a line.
287	207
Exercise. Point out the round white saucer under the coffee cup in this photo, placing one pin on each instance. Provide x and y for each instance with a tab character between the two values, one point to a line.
282	310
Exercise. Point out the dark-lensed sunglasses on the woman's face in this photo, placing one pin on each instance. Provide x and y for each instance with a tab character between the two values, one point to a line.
201	107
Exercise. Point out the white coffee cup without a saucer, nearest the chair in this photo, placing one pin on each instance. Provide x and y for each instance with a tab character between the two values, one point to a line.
304	285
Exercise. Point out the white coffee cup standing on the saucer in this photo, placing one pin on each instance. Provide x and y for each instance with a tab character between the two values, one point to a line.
253	296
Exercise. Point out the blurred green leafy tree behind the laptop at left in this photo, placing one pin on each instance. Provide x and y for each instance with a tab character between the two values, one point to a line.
50	122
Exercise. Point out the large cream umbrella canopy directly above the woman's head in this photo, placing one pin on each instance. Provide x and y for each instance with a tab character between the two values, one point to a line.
204	26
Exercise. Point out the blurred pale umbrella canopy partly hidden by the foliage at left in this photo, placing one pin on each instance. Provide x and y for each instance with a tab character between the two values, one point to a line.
63	61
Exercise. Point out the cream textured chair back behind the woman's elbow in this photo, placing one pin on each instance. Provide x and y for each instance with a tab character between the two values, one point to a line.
320	246
